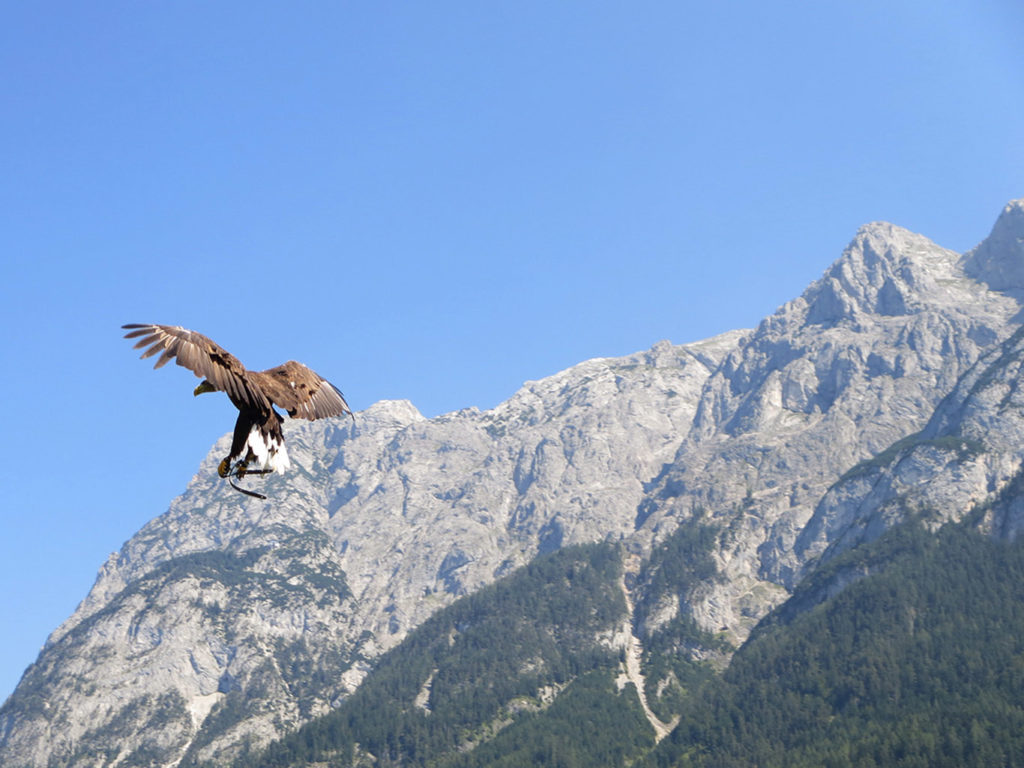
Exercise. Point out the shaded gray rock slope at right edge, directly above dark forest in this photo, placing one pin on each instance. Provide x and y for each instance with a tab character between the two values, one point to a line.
967	459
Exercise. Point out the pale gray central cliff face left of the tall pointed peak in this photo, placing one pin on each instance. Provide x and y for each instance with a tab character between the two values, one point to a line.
438	508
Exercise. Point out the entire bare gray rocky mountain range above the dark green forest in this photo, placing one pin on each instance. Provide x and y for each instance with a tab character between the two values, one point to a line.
727	471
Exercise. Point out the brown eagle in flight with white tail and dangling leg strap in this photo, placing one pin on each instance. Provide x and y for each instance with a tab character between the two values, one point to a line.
259	437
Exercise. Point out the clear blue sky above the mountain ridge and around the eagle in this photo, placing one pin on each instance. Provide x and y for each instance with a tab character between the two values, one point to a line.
434	202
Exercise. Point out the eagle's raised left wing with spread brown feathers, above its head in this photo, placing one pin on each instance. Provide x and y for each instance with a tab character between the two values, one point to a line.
203	357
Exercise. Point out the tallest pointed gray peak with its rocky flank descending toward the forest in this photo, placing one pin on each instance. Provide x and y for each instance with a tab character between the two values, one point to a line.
834	378
